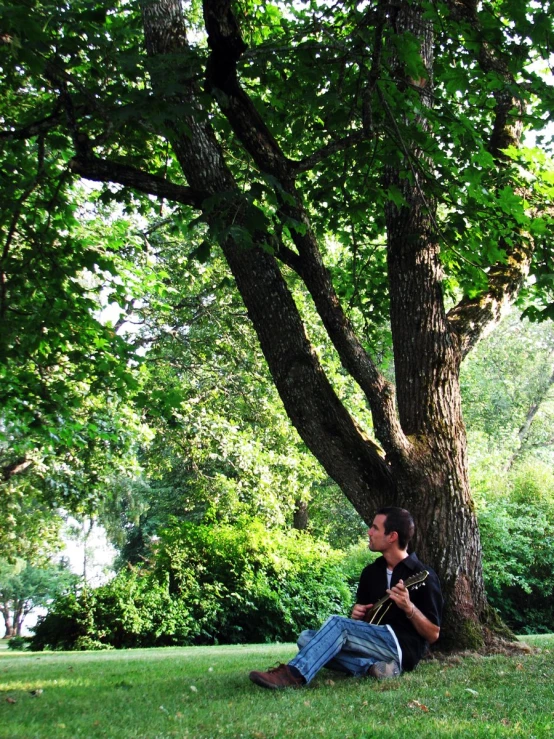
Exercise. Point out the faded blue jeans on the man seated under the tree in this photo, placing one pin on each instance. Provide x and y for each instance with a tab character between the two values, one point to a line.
344	644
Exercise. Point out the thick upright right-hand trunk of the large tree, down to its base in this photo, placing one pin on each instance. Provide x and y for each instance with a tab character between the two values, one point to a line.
432	480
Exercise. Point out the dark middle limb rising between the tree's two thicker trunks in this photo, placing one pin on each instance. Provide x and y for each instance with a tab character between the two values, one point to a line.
227	46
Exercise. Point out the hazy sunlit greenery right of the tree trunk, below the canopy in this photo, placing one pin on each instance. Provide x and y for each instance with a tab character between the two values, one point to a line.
506	386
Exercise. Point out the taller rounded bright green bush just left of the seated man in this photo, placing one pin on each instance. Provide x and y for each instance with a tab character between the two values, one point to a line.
248	584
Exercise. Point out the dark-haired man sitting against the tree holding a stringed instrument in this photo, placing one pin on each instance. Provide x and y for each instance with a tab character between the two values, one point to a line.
401	630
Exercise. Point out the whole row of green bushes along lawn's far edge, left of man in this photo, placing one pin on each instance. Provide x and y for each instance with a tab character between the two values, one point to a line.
206	585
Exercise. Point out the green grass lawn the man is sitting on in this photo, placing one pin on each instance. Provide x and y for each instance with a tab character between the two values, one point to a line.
204	692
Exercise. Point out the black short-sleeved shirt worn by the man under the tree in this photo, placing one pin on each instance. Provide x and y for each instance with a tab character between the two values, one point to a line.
427	598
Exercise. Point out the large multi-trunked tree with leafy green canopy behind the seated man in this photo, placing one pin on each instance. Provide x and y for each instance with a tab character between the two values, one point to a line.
275	131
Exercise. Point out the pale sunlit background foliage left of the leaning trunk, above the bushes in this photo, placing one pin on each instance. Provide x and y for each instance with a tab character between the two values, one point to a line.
222	444
